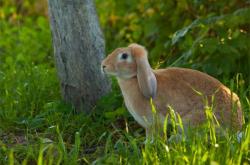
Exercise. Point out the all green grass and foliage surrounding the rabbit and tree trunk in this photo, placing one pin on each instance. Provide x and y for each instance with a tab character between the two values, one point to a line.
37	127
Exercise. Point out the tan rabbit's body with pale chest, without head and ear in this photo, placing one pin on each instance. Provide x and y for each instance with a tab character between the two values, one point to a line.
181	93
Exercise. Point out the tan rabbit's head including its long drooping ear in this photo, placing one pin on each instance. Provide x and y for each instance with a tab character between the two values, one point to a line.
130	62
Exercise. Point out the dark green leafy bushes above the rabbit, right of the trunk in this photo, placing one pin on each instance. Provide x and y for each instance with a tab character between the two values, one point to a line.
212	38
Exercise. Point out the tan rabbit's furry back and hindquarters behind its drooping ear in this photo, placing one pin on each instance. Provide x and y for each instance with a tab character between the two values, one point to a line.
187	92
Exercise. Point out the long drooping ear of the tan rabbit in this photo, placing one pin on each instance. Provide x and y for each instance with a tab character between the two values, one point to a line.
145	76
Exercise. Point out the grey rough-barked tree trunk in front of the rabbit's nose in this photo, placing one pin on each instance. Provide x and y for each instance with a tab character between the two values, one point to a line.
78	48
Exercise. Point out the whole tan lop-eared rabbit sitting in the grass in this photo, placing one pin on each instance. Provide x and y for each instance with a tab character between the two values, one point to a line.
176	87
